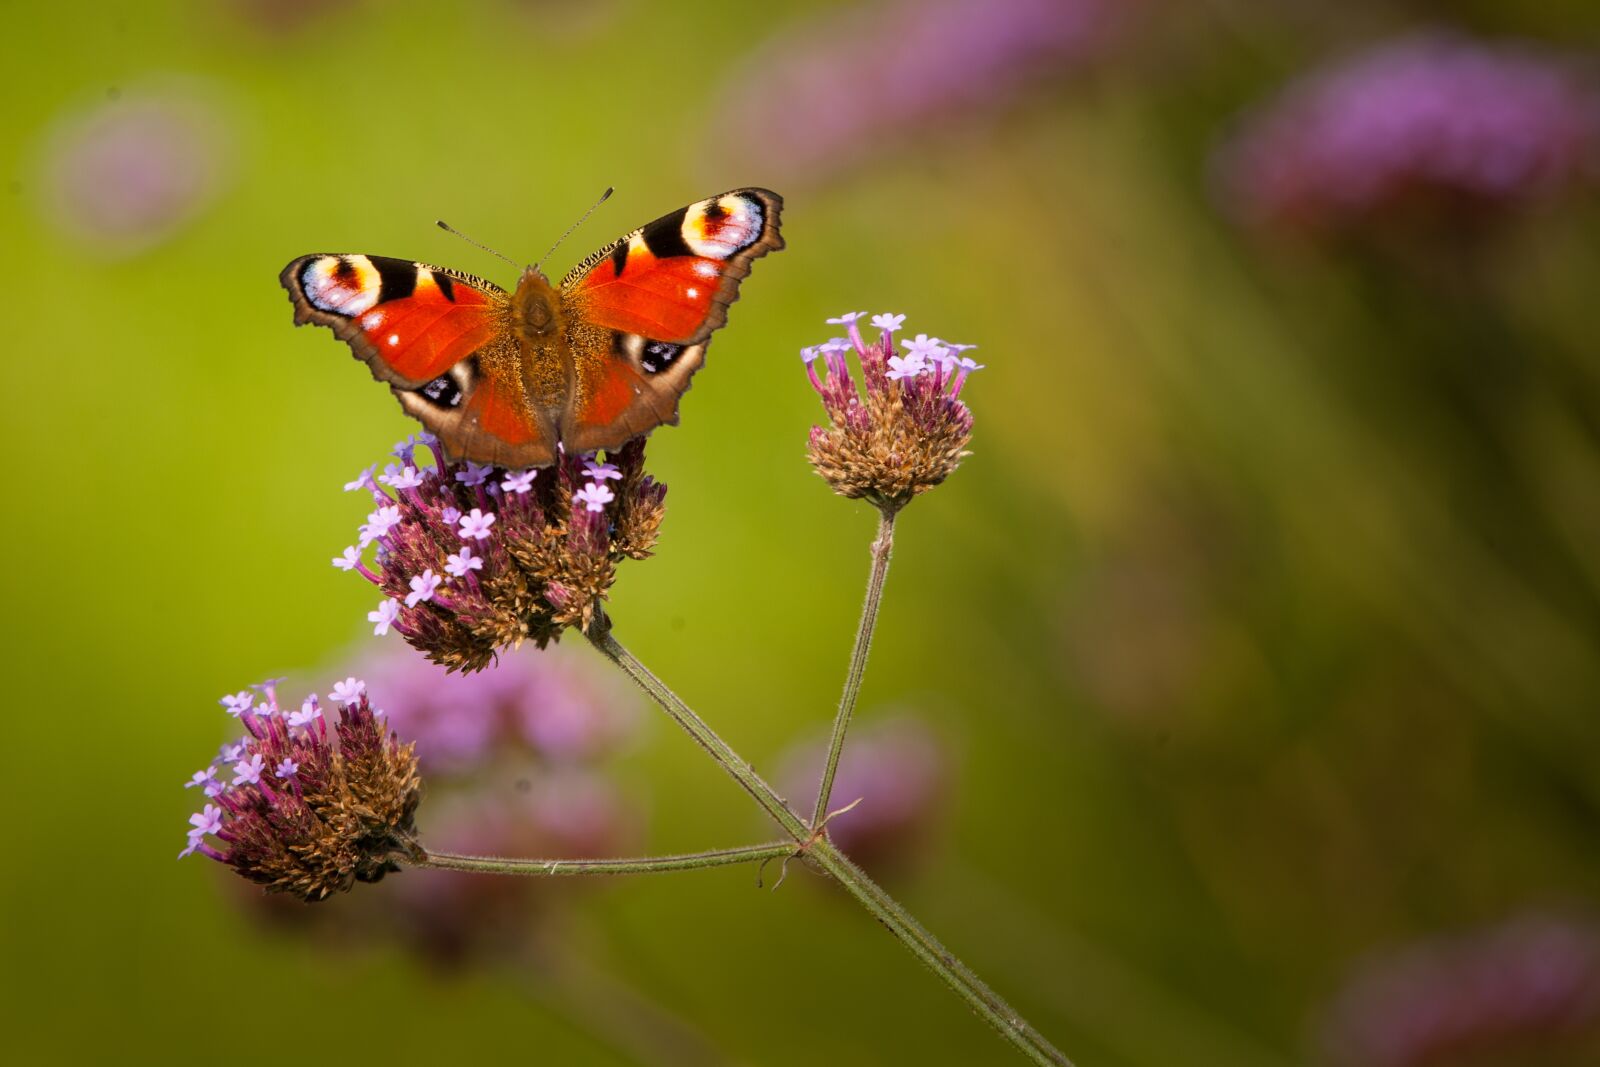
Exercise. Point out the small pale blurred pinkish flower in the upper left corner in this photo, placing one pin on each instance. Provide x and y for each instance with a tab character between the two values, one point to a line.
130	172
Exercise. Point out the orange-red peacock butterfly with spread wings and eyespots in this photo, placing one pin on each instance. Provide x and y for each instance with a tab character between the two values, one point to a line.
591	364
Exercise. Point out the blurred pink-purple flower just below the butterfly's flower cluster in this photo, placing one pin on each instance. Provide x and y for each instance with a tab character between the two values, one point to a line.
550	706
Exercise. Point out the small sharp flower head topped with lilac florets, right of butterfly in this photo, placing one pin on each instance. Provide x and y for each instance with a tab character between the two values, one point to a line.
905	430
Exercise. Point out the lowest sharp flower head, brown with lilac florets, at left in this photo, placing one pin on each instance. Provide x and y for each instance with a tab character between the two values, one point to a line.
308	812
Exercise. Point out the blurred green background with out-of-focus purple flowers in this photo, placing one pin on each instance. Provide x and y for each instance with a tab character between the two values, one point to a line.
1234	705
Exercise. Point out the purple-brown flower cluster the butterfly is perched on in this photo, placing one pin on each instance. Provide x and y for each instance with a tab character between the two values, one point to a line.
474	559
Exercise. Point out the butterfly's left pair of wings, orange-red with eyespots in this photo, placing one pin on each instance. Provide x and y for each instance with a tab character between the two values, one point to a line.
439	340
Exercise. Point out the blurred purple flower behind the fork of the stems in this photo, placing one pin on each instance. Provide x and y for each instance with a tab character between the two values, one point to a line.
897	769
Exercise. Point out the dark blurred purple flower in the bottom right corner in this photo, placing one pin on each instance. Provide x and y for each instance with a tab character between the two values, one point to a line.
1529	985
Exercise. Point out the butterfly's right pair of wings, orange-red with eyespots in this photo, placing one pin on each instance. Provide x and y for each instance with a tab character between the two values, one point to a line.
642	313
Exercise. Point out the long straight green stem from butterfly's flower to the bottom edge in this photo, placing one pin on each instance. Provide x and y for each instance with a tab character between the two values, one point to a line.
826	855
